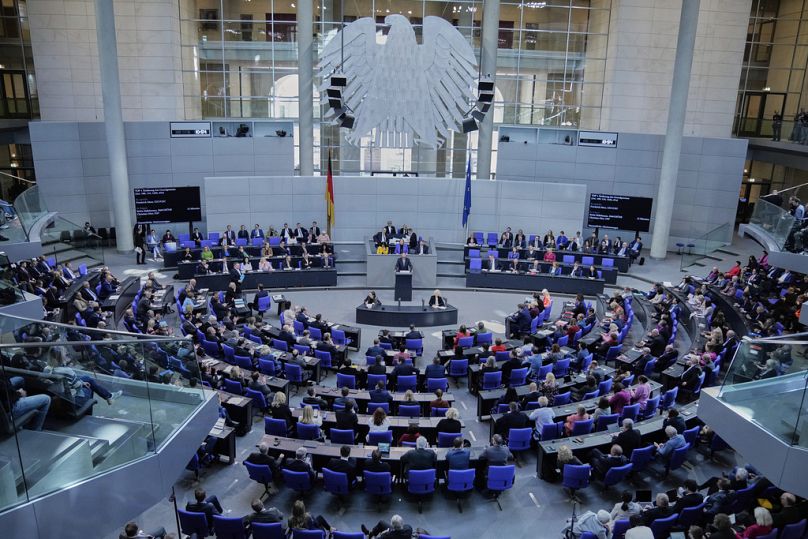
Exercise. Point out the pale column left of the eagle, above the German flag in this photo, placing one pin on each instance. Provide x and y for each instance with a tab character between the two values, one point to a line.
305	62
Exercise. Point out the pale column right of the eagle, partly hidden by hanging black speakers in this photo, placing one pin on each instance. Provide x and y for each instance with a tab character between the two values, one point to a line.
488	68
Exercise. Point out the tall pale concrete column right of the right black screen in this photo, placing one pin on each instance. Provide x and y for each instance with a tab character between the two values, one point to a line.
671	152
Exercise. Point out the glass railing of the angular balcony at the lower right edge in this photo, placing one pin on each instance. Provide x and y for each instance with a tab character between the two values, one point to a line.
766	383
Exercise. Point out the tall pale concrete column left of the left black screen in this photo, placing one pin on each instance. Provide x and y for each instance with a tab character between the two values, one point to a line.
113	122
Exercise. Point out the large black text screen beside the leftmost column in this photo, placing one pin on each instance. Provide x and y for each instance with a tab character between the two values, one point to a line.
167	205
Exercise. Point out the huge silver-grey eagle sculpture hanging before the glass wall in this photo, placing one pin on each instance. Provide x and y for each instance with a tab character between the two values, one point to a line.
409	93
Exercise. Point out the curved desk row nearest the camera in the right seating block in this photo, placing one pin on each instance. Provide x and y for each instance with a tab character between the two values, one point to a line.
650	429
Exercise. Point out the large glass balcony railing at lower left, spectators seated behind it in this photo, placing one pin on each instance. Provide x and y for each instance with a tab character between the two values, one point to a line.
76	402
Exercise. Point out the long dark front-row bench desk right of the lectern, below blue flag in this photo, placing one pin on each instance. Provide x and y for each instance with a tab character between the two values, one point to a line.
523	281
